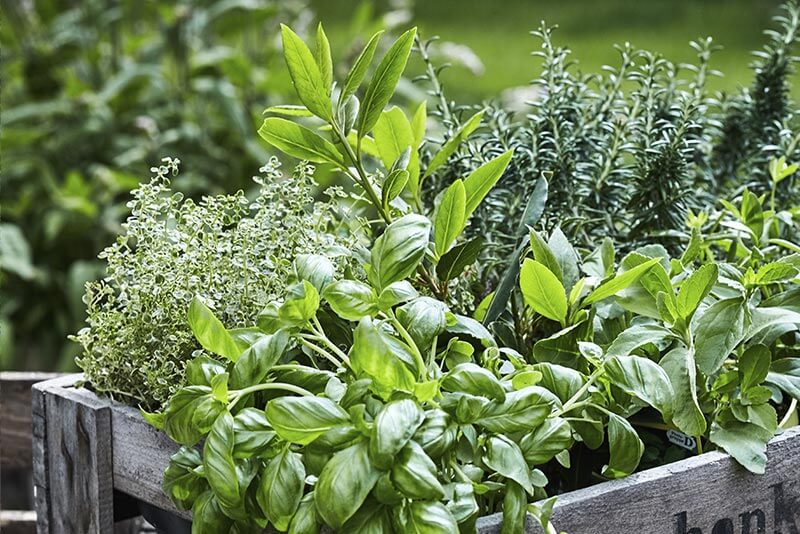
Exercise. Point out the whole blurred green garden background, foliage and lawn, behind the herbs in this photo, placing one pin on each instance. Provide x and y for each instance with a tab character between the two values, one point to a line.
95	92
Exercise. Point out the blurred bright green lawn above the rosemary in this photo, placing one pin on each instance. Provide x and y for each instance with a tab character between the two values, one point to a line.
498	31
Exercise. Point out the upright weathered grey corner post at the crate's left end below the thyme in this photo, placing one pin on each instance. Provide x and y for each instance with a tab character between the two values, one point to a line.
78	457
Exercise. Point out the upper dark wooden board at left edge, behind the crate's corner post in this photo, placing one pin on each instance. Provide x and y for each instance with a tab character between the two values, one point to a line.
15	417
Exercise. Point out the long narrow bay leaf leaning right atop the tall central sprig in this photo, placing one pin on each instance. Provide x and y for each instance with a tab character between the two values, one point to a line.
384	81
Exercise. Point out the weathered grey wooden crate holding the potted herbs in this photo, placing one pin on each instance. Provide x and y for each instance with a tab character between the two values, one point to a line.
86	446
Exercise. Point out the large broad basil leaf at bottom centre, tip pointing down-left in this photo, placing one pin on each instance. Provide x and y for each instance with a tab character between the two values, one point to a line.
344	484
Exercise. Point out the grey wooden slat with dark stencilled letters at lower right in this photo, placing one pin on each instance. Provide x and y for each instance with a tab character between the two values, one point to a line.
707	494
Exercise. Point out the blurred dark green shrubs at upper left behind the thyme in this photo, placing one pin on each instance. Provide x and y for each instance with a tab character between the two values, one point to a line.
93	93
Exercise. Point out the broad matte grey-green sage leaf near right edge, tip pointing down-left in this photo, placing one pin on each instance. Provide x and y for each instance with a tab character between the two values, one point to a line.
718	330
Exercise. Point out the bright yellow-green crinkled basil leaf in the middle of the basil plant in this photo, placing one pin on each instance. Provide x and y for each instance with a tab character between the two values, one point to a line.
377	355
